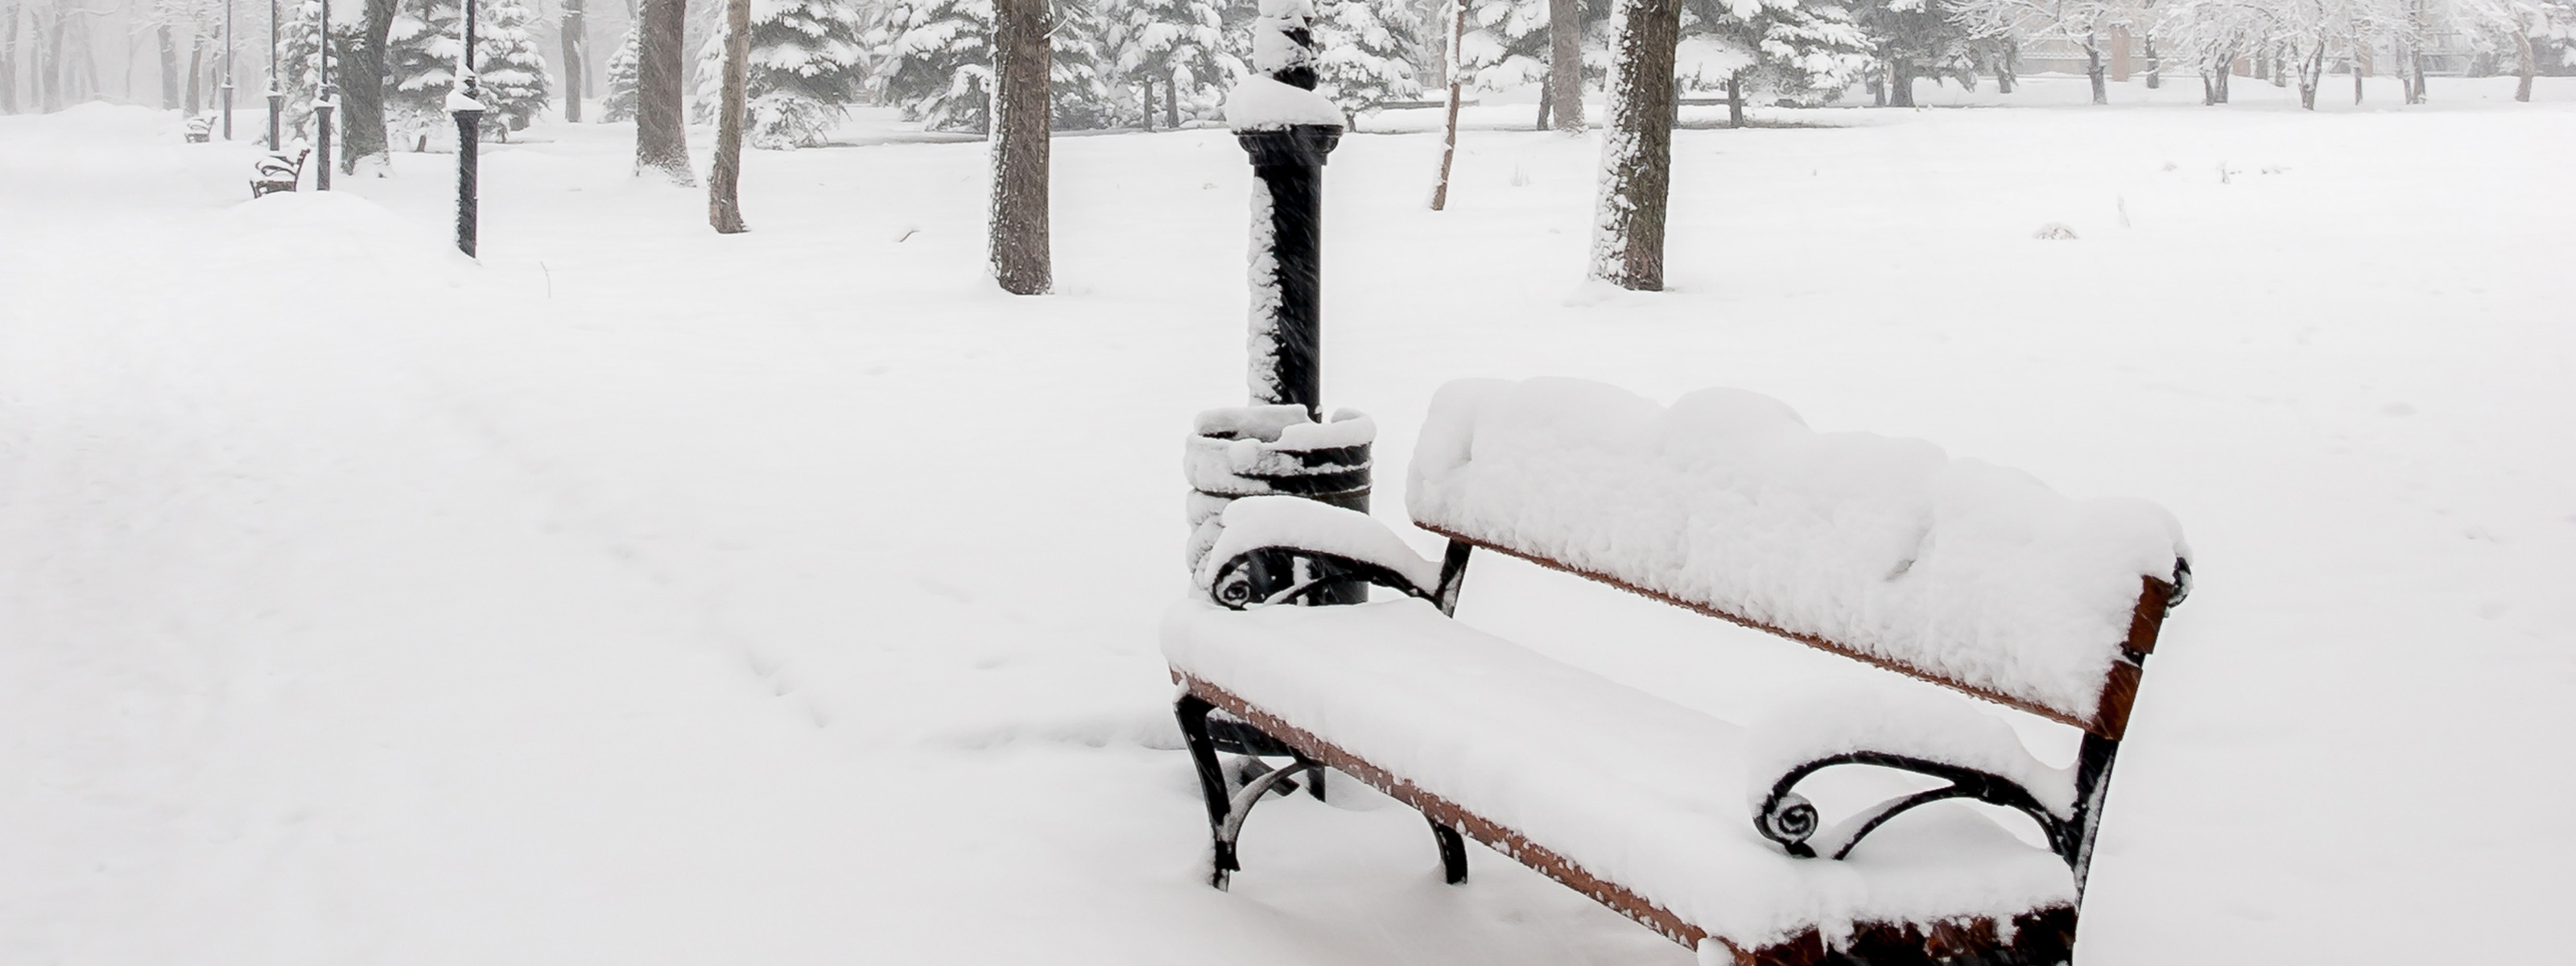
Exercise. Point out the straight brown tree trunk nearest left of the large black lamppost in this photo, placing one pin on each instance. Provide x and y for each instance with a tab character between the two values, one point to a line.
1019	148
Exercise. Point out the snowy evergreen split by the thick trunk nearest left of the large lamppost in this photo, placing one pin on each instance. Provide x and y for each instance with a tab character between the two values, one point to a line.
934	61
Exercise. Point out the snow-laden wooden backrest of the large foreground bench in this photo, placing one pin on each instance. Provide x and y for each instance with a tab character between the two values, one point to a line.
1884	550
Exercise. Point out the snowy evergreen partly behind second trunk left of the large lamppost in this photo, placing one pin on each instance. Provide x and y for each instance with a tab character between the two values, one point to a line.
808	68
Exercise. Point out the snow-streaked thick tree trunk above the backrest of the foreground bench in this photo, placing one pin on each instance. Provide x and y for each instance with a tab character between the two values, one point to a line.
1637	156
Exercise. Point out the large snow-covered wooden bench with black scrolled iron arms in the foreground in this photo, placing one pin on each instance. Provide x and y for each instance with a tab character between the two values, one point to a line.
1879	550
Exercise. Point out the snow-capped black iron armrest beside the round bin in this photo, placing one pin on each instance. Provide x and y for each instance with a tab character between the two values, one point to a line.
1279	550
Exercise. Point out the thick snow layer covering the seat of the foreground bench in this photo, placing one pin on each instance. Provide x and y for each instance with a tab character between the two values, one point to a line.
1629	787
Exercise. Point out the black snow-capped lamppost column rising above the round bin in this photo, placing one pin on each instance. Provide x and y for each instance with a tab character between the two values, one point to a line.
1289	130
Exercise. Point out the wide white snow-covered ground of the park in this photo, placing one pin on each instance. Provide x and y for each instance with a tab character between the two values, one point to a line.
648	596
